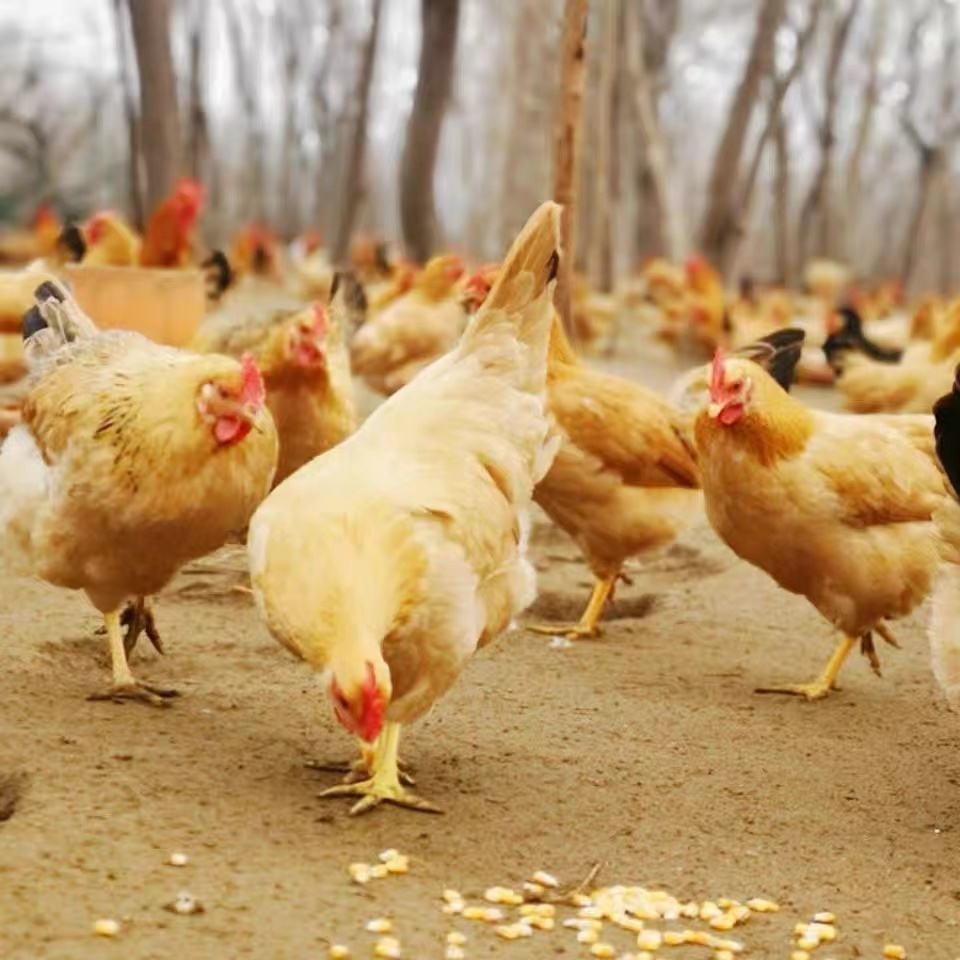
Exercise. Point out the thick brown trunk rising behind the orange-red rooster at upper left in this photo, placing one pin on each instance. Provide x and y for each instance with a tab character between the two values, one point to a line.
160	119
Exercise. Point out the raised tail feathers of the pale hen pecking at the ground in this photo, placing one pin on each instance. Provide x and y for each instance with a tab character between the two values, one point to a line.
523	293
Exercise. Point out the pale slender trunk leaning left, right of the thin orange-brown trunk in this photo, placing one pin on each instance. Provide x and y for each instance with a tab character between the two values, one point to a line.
665	211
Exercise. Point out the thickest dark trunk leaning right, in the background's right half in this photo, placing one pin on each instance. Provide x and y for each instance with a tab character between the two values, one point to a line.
720	222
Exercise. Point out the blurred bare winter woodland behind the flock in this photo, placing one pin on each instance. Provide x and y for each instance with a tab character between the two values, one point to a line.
761	133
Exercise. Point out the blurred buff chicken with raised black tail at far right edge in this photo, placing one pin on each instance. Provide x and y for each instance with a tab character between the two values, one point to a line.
874	379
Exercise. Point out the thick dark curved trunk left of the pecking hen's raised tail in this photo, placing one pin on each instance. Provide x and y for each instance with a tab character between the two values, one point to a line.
438	47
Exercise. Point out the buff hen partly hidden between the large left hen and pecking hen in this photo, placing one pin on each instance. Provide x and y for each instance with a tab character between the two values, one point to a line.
303	358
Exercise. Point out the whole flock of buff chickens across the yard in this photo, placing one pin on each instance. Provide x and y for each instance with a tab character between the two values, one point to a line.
383	555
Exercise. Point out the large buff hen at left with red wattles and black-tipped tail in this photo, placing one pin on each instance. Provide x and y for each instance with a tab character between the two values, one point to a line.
131	460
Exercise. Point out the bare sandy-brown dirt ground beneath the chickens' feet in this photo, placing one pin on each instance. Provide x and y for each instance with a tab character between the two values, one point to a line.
646	751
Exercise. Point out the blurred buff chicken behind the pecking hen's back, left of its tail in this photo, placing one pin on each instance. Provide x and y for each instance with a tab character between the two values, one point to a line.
390	349
